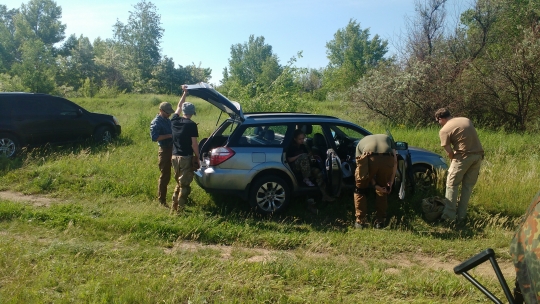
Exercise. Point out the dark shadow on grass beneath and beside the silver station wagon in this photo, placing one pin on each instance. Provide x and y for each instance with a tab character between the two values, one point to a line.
404	215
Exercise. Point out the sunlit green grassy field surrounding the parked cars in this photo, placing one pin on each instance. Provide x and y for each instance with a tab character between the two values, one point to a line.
88	228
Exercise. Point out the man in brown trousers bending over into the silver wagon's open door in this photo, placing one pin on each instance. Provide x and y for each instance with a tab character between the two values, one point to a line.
376	166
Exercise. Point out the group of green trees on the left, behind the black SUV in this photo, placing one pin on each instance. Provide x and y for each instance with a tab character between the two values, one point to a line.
31	60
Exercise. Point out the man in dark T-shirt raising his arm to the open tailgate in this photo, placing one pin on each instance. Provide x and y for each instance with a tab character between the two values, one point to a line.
185	151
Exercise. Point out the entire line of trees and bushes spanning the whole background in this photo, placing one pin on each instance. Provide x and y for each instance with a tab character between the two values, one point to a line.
485	66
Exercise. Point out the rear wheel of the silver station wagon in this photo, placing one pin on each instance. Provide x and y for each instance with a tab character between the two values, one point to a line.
269	194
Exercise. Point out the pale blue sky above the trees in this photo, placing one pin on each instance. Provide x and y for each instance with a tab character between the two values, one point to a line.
202	32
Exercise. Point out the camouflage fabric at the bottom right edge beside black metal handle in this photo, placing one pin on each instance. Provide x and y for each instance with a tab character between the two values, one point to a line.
525	250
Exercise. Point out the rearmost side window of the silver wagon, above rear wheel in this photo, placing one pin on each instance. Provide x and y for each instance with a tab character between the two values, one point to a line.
263	135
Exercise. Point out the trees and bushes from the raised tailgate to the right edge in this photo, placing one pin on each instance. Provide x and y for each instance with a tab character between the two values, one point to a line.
486	67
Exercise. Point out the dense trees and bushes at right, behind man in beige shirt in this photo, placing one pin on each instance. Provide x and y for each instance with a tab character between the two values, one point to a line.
486	67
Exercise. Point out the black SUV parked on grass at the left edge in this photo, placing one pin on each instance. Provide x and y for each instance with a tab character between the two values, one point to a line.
35	119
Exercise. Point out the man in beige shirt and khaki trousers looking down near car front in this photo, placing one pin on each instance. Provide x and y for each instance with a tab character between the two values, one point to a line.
462	145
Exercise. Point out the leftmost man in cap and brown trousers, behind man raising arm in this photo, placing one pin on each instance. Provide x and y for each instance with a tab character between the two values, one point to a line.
160	131
